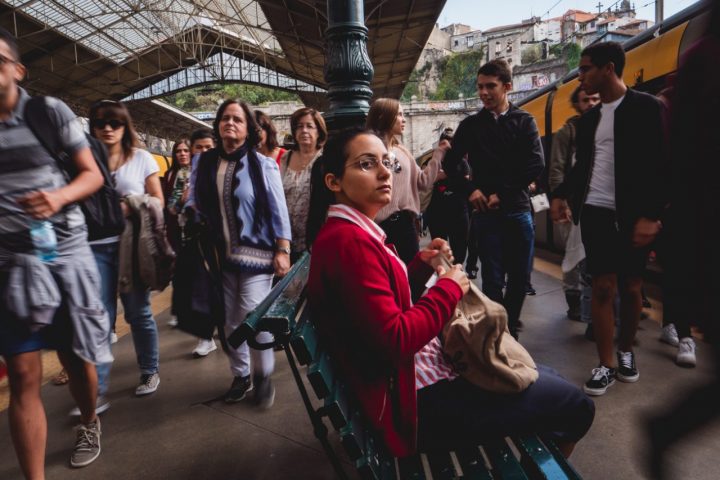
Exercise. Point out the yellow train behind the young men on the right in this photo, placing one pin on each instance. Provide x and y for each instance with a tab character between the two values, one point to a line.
651	57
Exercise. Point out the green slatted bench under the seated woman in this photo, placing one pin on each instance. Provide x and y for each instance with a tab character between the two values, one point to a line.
283	313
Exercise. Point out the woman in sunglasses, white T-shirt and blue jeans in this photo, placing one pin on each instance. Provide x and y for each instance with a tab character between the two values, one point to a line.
135	172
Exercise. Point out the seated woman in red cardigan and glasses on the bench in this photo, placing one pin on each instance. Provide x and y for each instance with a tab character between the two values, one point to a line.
387	348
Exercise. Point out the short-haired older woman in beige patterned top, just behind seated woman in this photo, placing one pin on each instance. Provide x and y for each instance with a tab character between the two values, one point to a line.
309	131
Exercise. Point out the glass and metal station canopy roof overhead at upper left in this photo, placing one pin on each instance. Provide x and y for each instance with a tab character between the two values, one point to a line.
139	50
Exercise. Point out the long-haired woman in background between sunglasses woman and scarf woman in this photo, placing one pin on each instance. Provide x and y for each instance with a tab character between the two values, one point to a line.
175	185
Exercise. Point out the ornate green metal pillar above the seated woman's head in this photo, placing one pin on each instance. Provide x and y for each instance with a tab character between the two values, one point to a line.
348	70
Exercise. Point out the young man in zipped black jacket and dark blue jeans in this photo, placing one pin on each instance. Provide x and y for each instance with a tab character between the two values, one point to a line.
505	155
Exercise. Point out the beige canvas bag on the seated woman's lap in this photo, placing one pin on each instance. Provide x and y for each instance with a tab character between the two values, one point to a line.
480	348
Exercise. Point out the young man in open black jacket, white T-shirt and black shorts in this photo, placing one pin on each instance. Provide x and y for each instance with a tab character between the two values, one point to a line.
616	189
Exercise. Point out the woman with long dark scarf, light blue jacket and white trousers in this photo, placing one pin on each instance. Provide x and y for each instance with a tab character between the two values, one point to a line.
239	193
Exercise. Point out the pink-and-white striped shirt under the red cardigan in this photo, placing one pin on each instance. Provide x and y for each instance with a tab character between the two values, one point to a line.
430	365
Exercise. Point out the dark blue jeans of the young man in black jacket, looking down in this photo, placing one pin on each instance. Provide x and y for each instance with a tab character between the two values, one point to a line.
505	242
